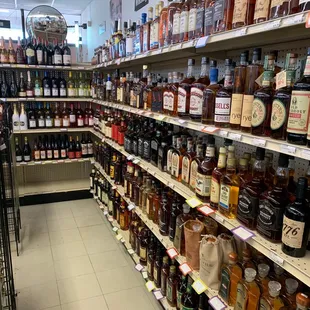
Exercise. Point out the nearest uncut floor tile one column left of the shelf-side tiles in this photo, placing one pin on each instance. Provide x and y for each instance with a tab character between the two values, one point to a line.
78	288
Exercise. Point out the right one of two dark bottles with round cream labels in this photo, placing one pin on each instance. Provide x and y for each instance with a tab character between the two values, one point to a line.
281	101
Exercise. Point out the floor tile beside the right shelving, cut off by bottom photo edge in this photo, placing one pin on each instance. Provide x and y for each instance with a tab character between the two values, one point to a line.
131	299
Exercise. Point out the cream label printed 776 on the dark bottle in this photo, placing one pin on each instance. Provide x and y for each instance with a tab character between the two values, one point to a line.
292	233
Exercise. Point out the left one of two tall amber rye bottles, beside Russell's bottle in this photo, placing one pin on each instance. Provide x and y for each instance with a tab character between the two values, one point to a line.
238	91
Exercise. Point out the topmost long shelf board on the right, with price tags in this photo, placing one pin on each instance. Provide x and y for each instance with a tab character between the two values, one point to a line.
280	30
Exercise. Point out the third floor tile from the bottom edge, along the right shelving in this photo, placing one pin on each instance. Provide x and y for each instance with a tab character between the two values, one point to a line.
108	260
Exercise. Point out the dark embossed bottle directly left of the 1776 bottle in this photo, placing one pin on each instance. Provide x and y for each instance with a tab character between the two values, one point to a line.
272	204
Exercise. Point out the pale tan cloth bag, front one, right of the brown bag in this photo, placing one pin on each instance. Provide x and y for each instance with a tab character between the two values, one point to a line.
210	261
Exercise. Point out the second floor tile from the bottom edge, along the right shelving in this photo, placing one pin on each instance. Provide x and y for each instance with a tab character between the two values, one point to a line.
118	279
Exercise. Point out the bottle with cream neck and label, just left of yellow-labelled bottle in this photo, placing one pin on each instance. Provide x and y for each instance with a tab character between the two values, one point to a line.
216	179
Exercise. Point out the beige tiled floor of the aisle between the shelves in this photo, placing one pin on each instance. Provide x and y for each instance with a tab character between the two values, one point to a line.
71	260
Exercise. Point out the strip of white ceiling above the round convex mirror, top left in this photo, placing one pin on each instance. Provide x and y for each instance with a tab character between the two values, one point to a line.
71	7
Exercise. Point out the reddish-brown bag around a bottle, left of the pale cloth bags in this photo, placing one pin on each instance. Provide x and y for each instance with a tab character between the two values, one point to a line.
193	229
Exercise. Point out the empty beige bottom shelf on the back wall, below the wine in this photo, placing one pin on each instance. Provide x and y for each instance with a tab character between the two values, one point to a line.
37	188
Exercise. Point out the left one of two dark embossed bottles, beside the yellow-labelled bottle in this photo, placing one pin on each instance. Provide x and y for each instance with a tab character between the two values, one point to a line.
248	205
